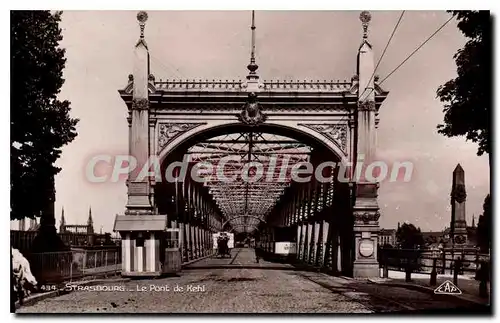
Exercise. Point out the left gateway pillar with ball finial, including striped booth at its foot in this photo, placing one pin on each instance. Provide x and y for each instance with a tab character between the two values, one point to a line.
139	227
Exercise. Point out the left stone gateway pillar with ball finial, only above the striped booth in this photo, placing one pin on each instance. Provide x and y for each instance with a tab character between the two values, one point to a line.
139	189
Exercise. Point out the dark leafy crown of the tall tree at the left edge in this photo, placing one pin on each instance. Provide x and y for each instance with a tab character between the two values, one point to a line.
40	123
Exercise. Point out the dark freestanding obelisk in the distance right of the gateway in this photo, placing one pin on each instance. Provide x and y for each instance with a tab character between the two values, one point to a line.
458	226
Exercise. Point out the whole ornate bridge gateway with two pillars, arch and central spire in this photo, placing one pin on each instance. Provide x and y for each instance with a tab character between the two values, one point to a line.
276	124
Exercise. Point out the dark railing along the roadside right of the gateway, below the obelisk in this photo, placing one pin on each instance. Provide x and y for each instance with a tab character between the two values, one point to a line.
421	260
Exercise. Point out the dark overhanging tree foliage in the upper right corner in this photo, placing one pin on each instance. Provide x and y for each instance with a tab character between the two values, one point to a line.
467	98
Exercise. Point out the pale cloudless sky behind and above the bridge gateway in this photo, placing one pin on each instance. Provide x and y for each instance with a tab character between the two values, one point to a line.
290	45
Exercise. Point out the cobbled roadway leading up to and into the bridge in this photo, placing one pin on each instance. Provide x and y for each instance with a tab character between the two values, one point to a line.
240	285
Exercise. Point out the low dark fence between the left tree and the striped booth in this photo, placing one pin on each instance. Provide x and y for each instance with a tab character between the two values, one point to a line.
56	267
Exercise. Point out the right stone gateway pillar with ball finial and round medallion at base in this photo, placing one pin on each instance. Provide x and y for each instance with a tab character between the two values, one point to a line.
366	209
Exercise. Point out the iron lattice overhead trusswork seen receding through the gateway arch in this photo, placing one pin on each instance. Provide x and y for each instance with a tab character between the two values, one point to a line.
249	173
